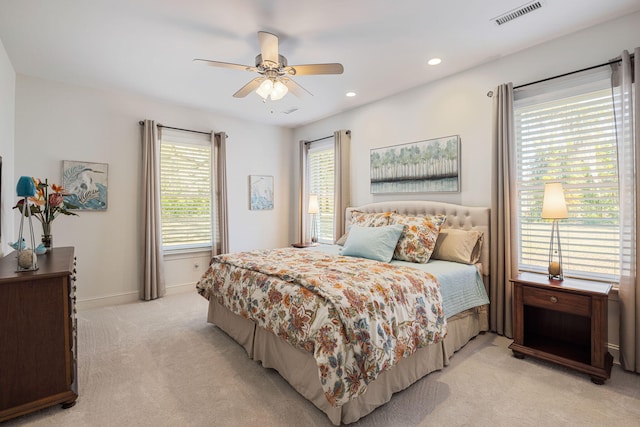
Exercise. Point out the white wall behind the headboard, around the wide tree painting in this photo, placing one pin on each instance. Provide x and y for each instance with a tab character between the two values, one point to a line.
458	105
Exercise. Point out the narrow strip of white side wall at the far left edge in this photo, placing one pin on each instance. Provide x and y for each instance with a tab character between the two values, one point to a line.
7	126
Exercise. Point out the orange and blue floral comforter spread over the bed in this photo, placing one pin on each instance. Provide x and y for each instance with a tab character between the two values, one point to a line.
357	317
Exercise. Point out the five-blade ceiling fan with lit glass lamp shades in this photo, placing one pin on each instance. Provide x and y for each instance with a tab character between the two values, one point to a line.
274	80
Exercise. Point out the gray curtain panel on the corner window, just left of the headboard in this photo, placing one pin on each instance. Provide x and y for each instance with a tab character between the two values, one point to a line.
342	195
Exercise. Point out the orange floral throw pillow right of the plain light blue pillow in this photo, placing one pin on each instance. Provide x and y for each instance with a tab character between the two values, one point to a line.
418	238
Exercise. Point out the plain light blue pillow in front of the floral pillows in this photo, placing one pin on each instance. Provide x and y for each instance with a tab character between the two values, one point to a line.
377	243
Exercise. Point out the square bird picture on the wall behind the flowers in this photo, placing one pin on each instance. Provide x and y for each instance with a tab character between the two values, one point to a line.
86	184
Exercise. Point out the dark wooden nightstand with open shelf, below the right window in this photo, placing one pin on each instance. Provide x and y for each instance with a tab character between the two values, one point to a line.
562	321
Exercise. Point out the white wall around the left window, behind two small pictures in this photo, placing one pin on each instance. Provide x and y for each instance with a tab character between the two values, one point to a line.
56	122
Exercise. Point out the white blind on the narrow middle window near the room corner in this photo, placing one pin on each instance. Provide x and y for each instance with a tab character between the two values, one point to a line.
321	170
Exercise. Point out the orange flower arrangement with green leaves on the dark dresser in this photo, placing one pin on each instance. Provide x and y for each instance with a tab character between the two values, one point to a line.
47	205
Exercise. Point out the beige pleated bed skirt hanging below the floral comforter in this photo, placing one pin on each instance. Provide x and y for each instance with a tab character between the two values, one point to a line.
299	368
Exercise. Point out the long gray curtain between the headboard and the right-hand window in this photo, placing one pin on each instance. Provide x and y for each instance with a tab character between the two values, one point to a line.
504	263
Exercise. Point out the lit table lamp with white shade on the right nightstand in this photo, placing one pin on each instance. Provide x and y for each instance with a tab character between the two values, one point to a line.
554	207
